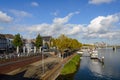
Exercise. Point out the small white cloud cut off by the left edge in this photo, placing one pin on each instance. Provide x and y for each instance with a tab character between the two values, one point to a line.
5	18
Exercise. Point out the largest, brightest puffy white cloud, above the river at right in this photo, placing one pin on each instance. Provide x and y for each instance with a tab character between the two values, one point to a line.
102	24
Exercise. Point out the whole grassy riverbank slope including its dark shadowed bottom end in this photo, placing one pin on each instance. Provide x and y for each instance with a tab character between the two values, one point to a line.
70	68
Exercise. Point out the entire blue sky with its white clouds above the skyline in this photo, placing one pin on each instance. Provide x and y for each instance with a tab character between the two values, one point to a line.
88	21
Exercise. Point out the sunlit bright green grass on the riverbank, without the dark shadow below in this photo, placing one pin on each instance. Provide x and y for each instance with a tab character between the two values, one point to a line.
71	66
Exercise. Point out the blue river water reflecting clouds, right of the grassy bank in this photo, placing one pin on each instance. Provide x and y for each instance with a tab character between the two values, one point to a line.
94	70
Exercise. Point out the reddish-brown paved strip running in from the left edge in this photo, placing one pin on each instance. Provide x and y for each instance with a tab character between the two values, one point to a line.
10	66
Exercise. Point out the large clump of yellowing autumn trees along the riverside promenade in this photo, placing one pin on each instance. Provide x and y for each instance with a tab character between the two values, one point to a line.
63	42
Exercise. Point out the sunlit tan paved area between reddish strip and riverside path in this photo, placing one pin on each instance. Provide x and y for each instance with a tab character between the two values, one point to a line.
36	68
